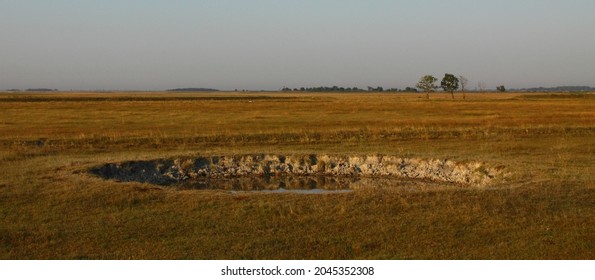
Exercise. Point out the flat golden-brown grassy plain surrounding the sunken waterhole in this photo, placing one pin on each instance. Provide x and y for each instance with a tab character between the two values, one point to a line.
52	208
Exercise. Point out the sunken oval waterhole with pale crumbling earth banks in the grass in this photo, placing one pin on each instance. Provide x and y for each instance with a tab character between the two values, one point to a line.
266	172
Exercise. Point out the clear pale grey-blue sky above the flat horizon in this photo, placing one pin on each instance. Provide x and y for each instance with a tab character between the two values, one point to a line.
270	44
